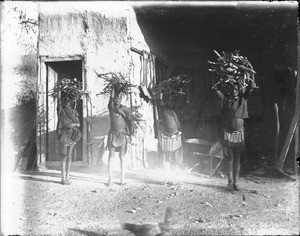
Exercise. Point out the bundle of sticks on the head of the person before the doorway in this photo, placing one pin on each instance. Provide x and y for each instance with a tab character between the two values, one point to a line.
67	90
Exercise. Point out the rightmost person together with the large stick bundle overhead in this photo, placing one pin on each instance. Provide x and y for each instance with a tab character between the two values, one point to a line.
235	84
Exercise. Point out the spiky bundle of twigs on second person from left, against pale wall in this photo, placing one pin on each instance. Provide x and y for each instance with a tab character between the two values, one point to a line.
115	81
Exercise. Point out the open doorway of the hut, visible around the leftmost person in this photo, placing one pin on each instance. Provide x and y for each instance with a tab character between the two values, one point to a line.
56	71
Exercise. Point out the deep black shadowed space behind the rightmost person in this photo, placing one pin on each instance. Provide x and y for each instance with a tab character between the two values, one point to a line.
184	36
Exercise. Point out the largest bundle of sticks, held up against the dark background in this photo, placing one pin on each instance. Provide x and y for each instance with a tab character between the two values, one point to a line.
232	69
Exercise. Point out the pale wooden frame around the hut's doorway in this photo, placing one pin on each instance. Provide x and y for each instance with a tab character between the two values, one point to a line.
42	145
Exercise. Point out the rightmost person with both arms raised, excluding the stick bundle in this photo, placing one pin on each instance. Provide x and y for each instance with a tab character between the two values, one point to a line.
234	111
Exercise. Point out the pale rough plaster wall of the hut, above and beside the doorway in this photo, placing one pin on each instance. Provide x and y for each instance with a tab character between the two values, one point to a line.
103	35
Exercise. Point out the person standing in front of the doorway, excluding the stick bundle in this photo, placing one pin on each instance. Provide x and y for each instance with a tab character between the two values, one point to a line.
67	134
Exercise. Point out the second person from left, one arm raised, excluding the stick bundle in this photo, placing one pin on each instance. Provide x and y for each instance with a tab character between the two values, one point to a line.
120	128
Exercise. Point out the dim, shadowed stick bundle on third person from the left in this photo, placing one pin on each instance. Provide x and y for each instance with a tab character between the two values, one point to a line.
175	85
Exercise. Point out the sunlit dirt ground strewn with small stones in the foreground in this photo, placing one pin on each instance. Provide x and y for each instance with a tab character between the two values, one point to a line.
35	203
